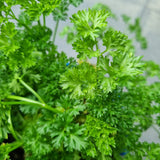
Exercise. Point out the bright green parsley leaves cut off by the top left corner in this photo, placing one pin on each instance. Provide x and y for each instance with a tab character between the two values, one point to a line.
34	9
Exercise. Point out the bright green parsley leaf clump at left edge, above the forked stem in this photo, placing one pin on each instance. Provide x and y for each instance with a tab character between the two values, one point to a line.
13	48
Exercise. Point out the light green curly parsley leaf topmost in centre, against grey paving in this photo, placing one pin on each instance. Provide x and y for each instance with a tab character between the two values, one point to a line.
90	24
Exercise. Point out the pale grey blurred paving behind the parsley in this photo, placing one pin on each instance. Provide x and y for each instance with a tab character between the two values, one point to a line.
149	13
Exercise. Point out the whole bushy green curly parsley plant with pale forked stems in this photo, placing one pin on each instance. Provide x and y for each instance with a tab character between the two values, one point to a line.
53	108
